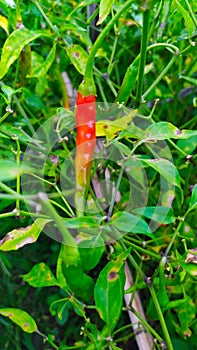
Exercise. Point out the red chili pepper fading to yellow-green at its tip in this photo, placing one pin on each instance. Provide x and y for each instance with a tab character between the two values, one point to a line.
85	144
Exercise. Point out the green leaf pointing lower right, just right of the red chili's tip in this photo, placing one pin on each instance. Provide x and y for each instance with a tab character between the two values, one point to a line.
127	222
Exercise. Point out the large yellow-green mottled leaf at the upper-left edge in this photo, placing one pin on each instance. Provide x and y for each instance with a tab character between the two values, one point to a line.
13	47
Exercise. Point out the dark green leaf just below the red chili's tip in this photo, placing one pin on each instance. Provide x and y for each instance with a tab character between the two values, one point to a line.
91	252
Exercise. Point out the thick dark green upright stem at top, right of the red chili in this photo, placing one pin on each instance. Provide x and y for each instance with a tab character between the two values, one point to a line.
143	50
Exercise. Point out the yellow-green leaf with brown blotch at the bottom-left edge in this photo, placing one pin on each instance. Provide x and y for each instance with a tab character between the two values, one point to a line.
21	318
